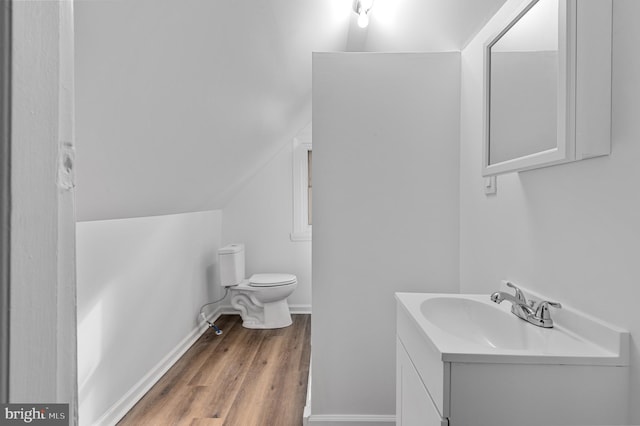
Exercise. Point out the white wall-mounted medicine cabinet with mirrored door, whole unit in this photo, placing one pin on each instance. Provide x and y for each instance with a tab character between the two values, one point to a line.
543	67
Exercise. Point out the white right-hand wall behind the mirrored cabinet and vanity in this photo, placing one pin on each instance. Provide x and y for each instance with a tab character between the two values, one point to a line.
569	232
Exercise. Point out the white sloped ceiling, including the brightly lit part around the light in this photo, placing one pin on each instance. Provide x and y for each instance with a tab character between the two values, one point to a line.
179	103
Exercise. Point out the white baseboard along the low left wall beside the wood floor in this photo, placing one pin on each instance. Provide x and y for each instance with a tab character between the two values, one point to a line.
118	410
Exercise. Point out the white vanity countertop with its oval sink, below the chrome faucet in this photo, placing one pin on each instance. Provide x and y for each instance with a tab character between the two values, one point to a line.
472	328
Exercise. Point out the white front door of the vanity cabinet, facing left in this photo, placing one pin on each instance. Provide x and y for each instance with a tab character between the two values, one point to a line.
413	403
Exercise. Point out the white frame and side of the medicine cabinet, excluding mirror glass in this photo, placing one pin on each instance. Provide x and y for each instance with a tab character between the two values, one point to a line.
584	86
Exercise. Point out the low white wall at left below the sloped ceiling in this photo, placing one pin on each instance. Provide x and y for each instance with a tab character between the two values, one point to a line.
141	283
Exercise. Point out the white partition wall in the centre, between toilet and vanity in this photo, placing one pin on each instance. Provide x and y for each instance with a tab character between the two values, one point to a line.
385	136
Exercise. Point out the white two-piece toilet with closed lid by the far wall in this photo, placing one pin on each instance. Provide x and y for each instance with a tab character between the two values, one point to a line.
261	299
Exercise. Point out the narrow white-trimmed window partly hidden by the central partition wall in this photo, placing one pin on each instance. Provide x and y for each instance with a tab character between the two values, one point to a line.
302	189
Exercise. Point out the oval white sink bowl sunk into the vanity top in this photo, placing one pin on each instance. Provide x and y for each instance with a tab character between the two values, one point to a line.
478	322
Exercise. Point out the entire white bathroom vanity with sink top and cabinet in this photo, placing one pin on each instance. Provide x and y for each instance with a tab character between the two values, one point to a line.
463	360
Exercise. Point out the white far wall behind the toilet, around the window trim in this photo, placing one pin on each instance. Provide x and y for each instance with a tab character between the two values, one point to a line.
261	216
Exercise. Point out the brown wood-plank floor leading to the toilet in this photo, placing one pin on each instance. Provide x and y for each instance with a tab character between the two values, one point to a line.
241	378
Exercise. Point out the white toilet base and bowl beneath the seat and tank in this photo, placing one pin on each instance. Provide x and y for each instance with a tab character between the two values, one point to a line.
257	315
